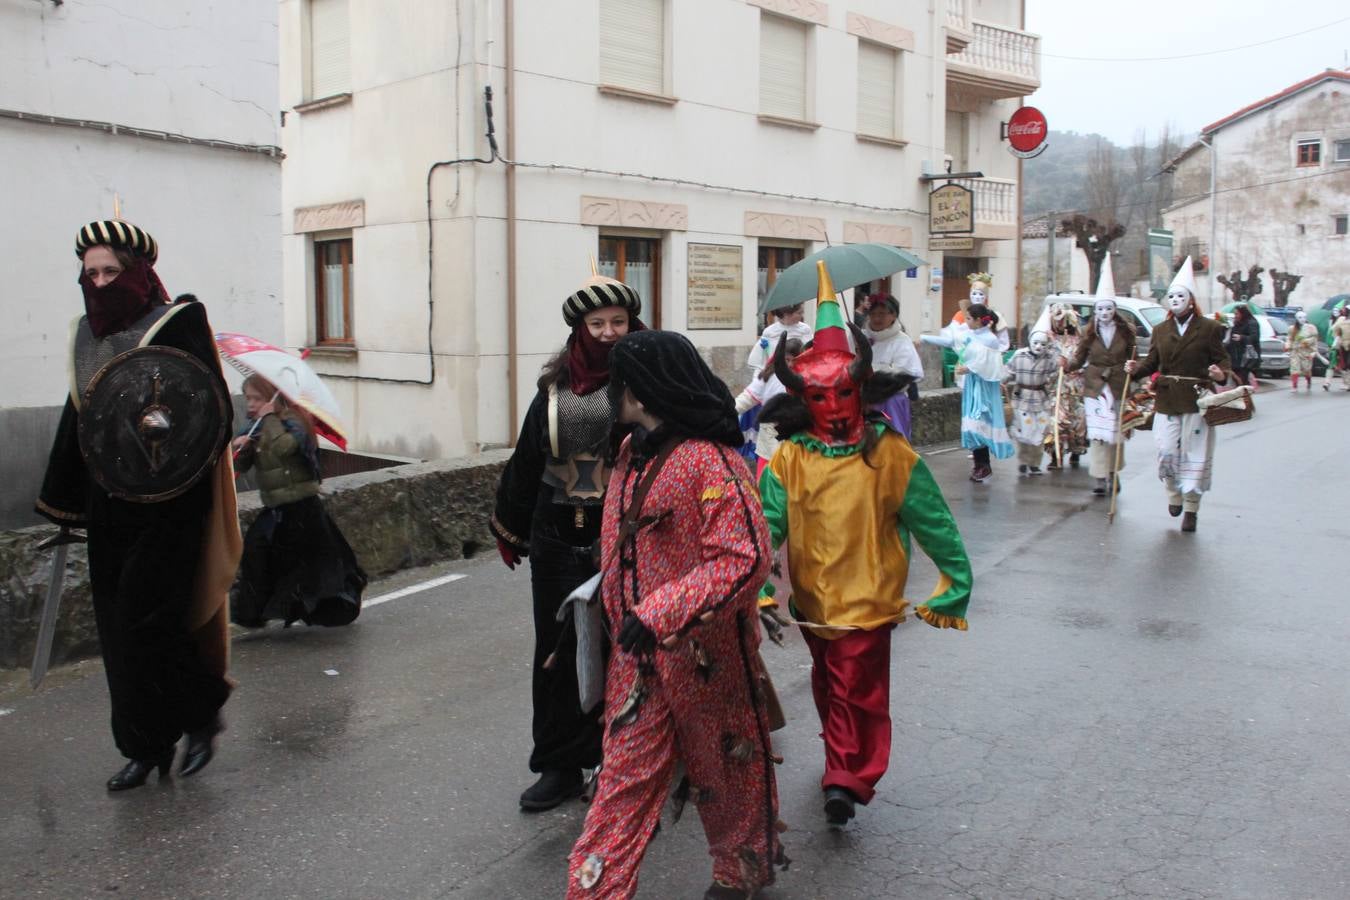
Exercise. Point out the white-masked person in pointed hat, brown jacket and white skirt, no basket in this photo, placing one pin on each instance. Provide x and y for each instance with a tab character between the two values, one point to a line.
1108	345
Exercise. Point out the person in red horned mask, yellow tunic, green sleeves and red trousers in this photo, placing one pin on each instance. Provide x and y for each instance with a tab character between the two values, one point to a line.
846	495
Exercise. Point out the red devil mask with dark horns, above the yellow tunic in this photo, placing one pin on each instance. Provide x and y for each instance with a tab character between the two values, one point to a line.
830	381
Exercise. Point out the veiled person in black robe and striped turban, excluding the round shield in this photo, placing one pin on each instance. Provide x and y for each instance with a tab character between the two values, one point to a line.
160	570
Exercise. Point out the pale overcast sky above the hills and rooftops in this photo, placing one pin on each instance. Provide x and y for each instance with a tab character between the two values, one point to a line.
1117	99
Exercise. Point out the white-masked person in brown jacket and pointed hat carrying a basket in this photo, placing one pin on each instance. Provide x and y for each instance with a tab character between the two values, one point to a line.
1187	354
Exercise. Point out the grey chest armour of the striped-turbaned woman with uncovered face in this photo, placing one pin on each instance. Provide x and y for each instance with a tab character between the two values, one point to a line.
578	432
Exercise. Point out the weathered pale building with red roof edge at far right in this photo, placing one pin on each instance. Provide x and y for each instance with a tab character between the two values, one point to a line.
1282	192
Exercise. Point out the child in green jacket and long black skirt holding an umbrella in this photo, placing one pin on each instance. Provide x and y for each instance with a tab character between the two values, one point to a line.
298	566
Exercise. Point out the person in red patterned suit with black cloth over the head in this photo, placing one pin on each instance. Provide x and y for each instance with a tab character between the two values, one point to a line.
685	553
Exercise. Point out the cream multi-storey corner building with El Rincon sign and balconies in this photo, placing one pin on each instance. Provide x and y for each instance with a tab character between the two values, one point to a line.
693	149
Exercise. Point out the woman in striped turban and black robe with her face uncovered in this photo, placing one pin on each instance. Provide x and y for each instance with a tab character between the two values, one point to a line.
549	508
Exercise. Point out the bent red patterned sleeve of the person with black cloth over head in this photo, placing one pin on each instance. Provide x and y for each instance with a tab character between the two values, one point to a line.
734	553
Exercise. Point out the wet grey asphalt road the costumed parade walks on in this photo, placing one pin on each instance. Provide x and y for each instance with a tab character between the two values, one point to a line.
1135	713
